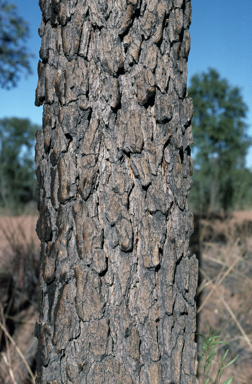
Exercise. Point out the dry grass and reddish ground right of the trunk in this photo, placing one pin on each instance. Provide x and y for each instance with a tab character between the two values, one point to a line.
224	290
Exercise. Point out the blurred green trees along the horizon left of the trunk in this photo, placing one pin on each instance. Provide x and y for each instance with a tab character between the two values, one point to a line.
17	166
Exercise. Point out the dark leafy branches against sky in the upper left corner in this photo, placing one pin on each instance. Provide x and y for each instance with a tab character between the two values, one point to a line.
14	57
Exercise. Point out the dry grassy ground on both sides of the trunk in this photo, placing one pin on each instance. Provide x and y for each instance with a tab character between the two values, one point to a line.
224	247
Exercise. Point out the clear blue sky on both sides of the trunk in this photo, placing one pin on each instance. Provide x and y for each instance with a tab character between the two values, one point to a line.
221	34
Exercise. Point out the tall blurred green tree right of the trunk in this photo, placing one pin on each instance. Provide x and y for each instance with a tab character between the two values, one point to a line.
220	140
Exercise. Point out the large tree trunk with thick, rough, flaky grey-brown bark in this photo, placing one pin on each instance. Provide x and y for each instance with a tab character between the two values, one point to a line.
118	283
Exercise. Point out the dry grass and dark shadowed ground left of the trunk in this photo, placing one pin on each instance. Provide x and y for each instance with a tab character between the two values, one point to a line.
19	271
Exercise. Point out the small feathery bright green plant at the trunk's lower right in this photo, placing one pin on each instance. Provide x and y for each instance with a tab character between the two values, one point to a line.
208	353
